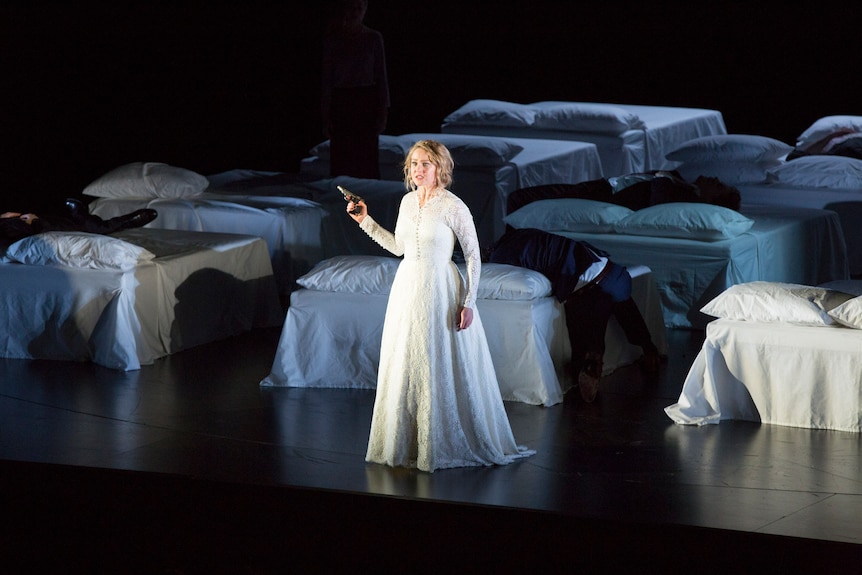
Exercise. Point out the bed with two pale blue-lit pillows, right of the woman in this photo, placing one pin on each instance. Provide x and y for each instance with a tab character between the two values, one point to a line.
695	251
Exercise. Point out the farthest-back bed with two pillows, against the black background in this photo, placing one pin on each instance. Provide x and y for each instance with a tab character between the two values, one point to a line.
629	138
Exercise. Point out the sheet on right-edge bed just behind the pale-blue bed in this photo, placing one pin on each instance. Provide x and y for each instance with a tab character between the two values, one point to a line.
846	203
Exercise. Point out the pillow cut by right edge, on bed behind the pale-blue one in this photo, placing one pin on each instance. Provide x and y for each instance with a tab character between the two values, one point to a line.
820	171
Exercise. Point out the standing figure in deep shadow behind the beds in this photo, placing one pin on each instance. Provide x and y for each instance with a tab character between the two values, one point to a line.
355	92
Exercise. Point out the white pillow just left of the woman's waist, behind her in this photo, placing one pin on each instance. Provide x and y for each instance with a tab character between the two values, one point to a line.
352	274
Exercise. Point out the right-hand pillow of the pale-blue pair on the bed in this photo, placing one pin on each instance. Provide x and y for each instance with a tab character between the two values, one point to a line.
691	221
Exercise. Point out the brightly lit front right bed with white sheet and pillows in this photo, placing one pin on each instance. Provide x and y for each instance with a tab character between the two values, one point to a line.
779	354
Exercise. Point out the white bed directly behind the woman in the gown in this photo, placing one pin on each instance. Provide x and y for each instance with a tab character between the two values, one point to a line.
332	332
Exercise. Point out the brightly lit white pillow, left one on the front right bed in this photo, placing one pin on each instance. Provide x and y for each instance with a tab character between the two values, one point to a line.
776	302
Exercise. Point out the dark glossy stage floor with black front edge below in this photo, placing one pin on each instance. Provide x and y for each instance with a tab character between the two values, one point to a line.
188	466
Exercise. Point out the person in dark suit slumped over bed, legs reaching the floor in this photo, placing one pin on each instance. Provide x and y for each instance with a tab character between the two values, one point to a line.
591	288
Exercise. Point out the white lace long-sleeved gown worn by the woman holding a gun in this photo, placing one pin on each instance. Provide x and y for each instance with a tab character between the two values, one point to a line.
437	404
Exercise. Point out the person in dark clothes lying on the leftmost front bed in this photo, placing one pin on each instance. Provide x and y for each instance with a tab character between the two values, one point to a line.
73	218
